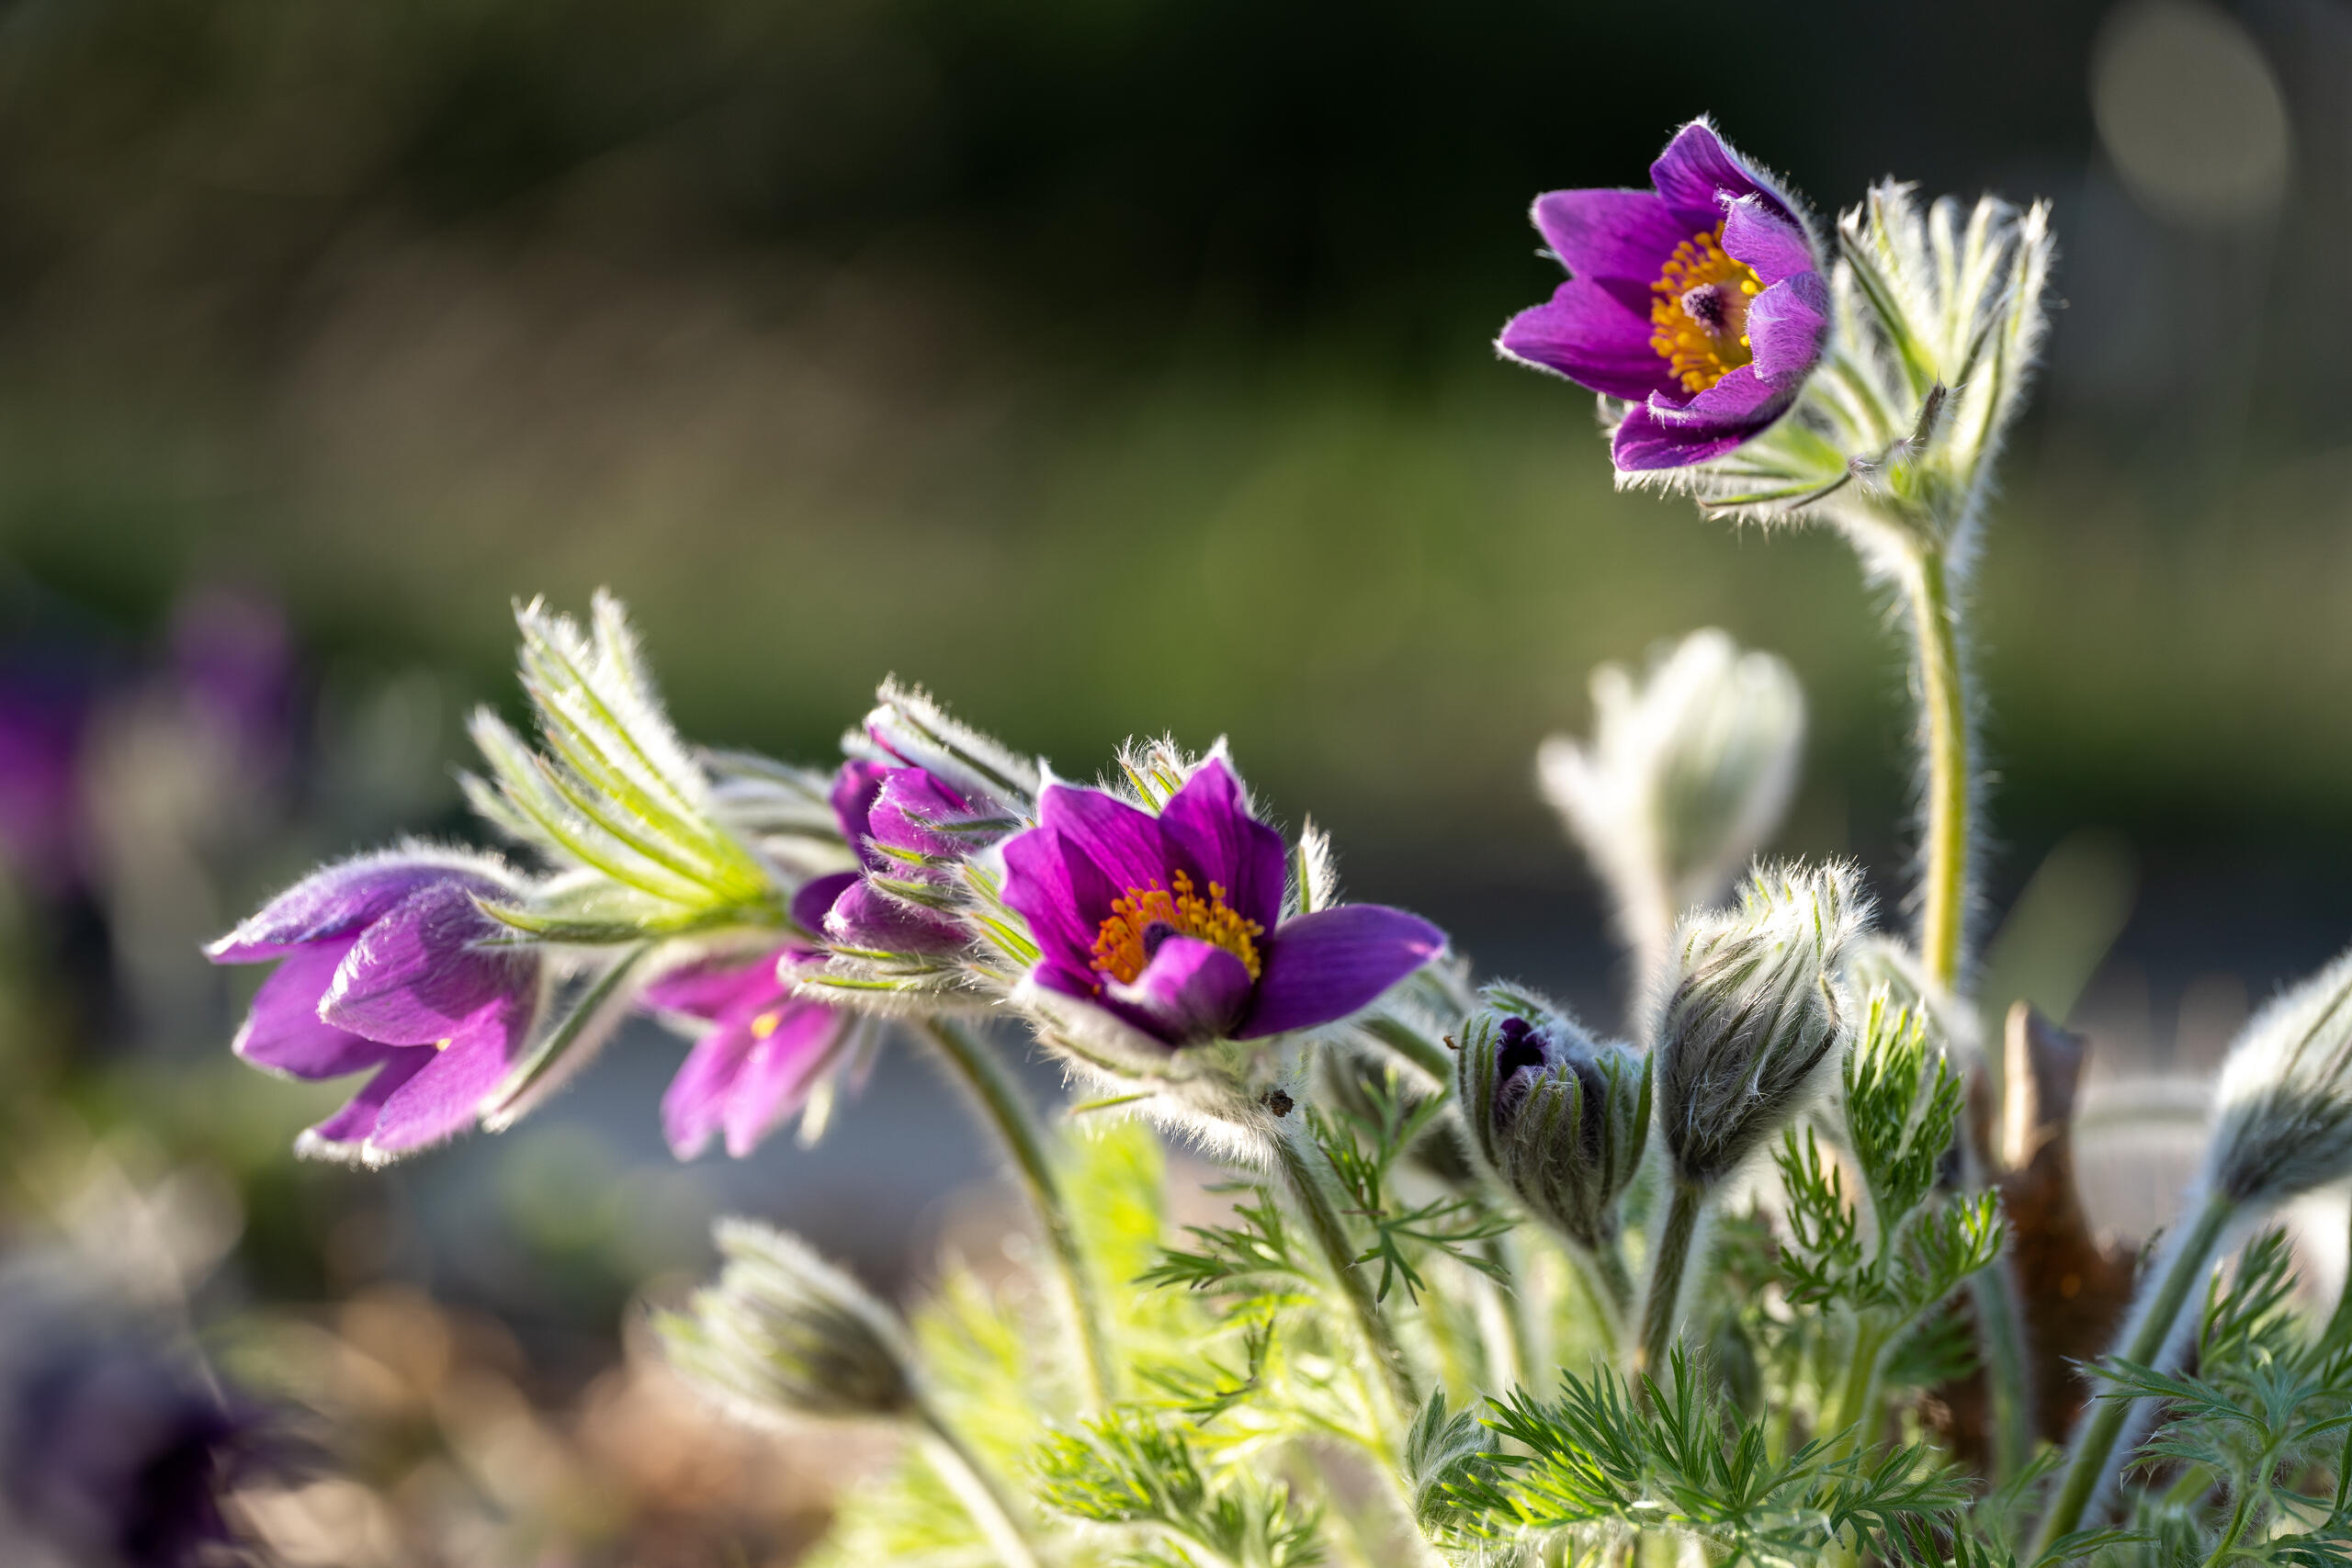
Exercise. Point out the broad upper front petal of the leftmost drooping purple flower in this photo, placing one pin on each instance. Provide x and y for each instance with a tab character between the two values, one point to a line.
420	974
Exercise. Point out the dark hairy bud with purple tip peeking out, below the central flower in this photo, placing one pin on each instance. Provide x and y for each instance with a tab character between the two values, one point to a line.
1553	1118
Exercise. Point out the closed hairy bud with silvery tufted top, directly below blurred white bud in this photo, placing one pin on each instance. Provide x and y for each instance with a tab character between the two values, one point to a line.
1751	1012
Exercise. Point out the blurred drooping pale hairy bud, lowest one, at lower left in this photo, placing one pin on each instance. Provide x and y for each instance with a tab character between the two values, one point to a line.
787	1334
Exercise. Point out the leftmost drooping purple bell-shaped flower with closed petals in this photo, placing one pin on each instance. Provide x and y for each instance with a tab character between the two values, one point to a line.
385	965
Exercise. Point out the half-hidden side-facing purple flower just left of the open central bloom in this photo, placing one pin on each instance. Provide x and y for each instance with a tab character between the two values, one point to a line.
904	826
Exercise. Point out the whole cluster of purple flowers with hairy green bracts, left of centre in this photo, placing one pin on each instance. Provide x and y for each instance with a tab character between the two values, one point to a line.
930	871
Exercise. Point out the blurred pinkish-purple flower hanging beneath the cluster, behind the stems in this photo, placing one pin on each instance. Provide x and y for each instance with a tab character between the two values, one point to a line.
759	1061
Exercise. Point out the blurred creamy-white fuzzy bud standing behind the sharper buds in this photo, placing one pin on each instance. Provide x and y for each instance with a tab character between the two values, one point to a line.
1688	775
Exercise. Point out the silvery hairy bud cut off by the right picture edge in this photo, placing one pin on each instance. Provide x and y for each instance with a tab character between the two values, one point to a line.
2287	1097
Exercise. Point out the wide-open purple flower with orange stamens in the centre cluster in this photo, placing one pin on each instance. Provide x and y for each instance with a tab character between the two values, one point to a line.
1175	923
